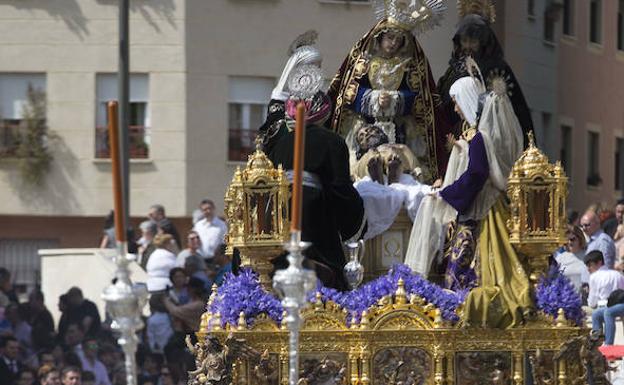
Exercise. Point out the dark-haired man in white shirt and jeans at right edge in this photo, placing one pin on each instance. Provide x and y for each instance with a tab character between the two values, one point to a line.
602	282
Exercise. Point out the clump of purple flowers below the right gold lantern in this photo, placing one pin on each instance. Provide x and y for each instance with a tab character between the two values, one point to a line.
555	291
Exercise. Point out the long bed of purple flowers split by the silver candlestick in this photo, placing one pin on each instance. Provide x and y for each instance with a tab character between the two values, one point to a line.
243	293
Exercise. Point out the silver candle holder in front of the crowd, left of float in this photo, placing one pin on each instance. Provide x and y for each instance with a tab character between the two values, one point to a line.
124	302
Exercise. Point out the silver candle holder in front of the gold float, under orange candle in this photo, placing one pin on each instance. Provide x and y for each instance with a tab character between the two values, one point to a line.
292	285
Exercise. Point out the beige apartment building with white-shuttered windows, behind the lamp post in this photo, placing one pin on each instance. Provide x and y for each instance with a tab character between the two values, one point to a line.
202	72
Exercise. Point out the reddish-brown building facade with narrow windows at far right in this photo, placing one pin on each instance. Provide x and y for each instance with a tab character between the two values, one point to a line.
591	79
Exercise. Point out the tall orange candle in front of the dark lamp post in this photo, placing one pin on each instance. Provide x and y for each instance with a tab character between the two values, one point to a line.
113	141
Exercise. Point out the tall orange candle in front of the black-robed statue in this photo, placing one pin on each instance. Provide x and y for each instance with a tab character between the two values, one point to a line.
295	224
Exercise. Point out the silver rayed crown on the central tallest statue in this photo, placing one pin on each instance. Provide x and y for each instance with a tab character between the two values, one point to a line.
416	15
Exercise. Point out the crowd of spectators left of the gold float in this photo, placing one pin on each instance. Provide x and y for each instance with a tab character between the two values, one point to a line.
82	349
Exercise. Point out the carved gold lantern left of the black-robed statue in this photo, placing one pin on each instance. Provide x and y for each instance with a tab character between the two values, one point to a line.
256	206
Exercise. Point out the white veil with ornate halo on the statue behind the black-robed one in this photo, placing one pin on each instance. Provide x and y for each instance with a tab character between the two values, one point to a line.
301	52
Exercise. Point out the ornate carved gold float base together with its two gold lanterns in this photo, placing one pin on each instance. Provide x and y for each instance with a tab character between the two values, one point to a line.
402	339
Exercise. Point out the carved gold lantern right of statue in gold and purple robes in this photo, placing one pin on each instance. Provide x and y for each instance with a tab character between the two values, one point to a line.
538	191
